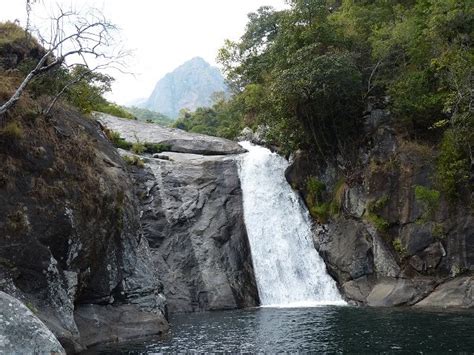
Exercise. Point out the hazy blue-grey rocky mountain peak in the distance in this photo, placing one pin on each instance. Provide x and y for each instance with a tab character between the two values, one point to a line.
191	85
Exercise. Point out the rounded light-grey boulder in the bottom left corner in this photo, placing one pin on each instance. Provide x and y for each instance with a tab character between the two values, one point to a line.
21	332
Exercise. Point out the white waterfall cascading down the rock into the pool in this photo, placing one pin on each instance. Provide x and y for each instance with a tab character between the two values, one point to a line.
288	269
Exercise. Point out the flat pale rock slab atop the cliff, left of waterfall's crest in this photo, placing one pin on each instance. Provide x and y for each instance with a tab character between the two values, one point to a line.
177	140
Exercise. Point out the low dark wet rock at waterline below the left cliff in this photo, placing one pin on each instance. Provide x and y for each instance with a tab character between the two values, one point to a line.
111	324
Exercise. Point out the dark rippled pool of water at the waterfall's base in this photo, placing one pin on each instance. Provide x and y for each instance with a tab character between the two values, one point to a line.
321	330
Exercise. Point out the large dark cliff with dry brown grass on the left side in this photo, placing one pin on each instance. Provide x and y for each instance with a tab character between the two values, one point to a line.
70	226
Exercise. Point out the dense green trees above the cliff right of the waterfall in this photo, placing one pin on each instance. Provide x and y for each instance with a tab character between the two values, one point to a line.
309	72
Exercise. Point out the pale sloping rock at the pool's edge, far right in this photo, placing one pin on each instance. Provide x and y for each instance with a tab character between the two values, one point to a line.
455	293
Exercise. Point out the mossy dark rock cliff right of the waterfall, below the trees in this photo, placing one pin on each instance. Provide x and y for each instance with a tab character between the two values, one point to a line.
386	246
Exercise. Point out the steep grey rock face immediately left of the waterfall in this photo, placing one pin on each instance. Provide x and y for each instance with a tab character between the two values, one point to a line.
193	219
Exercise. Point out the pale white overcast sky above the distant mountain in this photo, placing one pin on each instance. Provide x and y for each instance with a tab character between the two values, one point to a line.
162	33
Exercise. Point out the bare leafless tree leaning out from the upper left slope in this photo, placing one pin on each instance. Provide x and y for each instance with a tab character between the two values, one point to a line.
81	38
